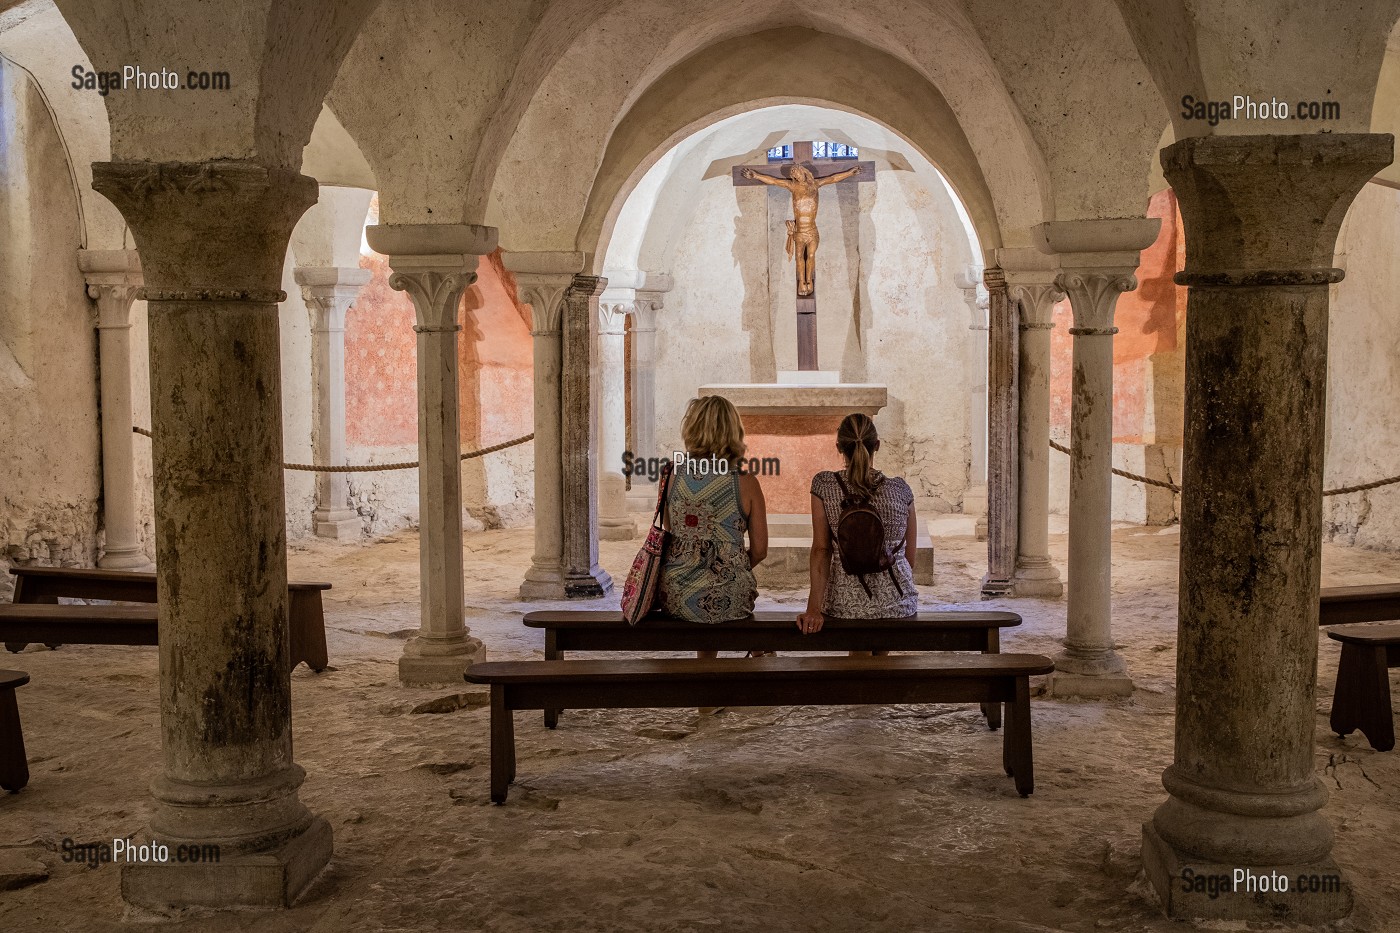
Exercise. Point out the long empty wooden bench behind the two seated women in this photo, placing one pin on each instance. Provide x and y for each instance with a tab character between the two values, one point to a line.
771	682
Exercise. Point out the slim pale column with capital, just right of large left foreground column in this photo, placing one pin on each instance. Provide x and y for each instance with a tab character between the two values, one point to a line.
330	292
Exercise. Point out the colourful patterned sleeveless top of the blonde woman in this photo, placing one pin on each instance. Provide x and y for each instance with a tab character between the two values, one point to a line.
708	576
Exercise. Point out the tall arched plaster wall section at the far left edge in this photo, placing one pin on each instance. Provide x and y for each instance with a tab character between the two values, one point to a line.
50	420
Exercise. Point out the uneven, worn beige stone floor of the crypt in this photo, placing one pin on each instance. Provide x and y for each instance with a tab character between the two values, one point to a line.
656	820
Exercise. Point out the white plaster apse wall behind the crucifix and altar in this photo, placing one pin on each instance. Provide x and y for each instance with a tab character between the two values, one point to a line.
890	310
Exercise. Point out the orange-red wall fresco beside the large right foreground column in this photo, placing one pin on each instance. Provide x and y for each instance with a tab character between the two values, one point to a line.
1146	351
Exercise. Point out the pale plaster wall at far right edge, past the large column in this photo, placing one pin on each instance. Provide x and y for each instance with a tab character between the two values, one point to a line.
1364	375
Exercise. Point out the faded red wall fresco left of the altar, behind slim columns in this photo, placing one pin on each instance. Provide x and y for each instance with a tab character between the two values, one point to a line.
496	358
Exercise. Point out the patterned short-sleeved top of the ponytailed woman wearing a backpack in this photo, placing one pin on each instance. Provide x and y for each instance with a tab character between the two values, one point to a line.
845	595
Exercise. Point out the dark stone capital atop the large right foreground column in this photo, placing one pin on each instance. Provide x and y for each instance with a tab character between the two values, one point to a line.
1297	187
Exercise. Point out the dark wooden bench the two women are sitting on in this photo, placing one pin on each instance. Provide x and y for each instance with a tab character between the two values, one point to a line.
605	631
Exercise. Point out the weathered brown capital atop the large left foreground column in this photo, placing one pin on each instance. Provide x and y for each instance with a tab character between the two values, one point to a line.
208	232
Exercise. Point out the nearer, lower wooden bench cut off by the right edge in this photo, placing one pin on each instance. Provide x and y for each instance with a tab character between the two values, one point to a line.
1361	698
